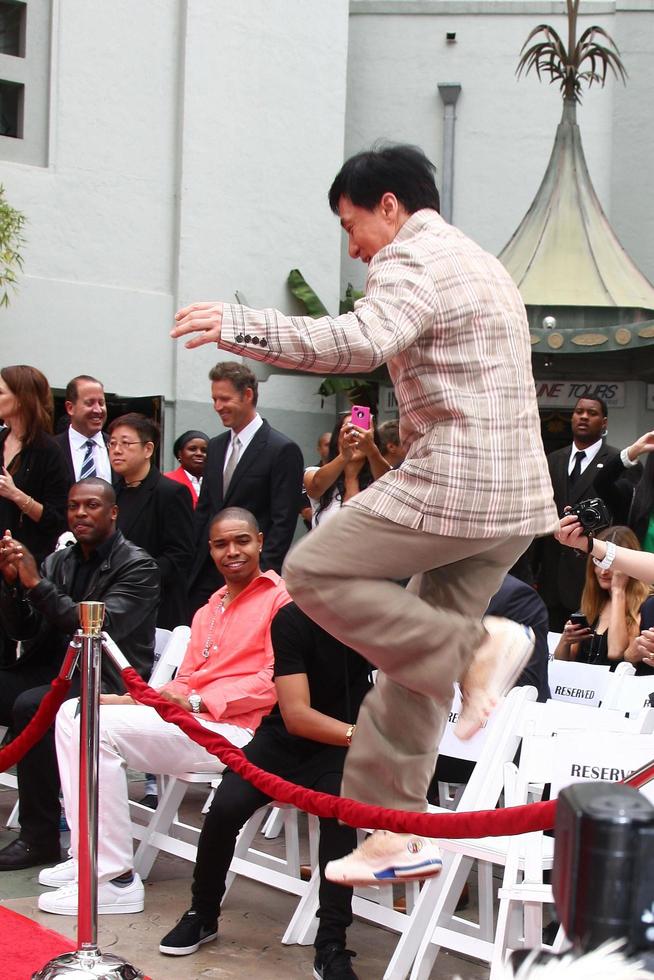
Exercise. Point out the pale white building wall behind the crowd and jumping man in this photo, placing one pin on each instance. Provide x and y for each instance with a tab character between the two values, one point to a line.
191	144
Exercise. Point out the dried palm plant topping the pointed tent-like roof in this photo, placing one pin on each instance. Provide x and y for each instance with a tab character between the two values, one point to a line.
581	63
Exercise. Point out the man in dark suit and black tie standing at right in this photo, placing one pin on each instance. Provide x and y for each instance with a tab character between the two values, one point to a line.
560	572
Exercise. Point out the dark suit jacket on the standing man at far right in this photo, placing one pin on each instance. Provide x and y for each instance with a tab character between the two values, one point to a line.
560	571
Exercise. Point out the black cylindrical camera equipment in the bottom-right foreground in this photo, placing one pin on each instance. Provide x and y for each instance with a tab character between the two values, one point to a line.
603	876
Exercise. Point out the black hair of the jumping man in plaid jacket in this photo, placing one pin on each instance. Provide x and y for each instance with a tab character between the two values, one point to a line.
400	169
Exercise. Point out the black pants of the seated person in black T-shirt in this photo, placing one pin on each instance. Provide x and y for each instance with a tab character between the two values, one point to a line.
234	803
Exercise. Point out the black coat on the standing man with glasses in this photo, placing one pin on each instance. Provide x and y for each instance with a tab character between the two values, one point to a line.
162	524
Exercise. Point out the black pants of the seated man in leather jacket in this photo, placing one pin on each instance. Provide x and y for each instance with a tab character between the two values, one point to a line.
38	775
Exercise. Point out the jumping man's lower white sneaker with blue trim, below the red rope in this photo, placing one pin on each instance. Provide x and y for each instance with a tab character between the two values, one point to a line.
384	858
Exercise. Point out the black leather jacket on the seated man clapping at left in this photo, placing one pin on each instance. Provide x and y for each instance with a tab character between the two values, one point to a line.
45	617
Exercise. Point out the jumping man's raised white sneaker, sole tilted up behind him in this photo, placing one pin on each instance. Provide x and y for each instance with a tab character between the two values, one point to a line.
494	668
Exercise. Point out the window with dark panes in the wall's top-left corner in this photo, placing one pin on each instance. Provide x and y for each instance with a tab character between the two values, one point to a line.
25	34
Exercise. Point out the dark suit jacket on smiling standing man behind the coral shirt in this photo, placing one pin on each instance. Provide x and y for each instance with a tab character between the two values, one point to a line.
267	481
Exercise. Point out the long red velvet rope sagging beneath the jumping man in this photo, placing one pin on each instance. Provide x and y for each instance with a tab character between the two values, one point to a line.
482	823
